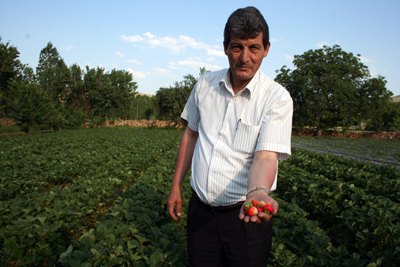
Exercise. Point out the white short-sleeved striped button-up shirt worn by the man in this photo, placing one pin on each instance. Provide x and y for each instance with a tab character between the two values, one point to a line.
231	129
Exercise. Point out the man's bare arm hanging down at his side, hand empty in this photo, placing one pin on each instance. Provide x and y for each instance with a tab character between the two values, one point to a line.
183	164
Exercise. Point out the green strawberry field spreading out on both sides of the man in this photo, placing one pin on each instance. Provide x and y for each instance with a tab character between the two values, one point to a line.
95	197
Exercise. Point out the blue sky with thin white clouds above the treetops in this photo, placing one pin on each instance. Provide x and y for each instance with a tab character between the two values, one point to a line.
161	41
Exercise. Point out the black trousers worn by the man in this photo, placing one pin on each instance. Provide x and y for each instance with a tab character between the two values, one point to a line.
225	240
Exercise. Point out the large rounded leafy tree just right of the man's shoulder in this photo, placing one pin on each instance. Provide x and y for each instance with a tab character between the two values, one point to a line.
325	85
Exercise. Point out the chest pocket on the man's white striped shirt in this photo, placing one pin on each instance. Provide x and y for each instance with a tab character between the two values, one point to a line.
246	137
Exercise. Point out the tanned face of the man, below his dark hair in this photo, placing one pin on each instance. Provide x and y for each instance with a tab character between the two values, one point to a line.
245	57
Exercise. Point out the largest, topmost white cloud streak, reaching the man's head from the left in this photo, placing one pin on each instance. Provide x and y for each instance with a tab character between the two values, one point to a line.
176	45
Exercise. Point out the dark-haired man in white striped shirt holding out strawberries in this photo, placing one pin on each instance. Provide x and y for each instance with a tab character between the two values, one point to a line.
239	126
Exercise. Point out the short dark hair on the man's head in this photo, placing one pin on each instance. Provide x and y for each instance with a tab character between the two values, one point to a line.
246	23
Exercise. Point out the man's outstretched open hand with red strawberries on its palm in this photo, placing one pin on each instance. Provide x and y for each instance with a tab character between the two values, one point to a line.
261	216
